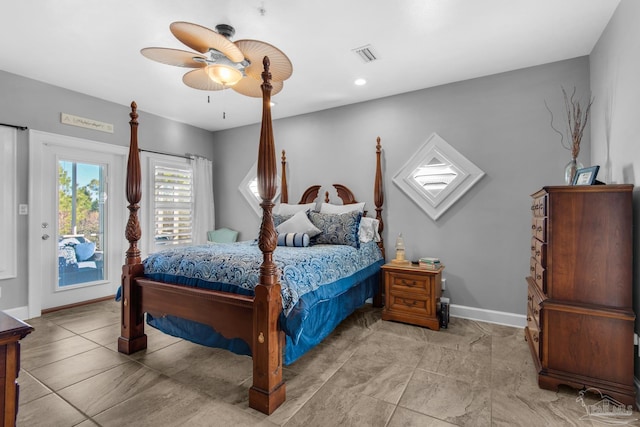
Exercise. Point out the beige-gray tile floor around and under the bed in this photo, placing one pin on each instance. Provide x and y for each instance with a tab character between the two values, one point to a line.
367	373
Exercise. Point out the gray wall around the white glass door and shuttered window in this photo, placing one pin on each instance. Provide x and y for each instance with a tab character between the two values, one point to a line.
38	106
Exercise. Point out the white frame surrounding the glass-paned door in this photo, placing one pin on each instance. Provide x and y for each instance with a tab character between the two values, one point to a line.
37	142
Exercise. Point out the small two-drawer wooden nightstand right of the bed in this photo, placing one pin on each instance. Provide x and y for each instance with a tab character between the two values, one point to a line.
412	294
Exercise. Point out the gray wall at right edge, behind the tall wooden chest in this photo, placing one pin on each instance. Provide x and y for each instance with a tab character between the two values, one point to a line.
615	67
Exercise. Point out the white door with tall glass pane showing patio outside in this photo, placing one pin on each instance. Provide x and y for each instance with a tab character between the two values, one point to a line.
76	220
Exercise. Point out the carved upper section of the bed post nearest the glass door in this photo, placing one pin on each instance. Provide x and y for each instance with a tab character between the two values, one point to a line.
134	178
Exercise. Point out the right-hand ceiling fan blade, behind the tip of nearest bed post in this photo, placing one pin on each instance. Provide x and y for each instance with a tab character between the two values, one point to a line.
255	50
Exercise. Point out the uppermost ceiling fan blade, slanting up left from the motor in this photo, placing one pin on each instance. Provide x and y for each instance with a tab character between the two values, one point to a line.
202	39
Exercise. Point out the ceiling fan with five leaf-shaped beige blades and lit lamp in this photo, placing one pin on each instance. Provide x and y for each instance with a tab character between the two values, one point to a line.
221	63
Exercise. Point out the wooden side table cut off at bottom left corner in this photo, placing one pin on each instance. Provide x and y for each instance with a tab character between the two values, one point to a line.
12	331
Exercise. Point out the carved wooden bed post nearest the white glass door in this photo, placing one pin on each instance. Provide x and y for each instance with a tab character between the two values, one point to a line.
132	336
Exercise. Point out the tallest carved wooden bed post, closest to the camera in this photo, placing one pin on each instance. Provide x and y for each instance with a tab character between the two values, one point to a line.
268	390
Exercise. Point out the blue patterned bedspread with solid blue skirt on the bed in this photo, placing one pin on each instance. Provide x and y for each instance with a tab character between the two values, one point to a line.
320	286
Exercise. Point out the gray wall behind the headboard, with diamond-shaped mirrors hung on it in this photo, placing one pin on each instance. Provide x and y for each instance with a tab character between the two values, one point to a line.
498	122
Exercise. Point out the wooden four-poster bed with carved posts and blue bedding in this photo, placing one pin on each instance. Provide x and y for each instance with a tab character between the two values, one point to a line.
284	302
